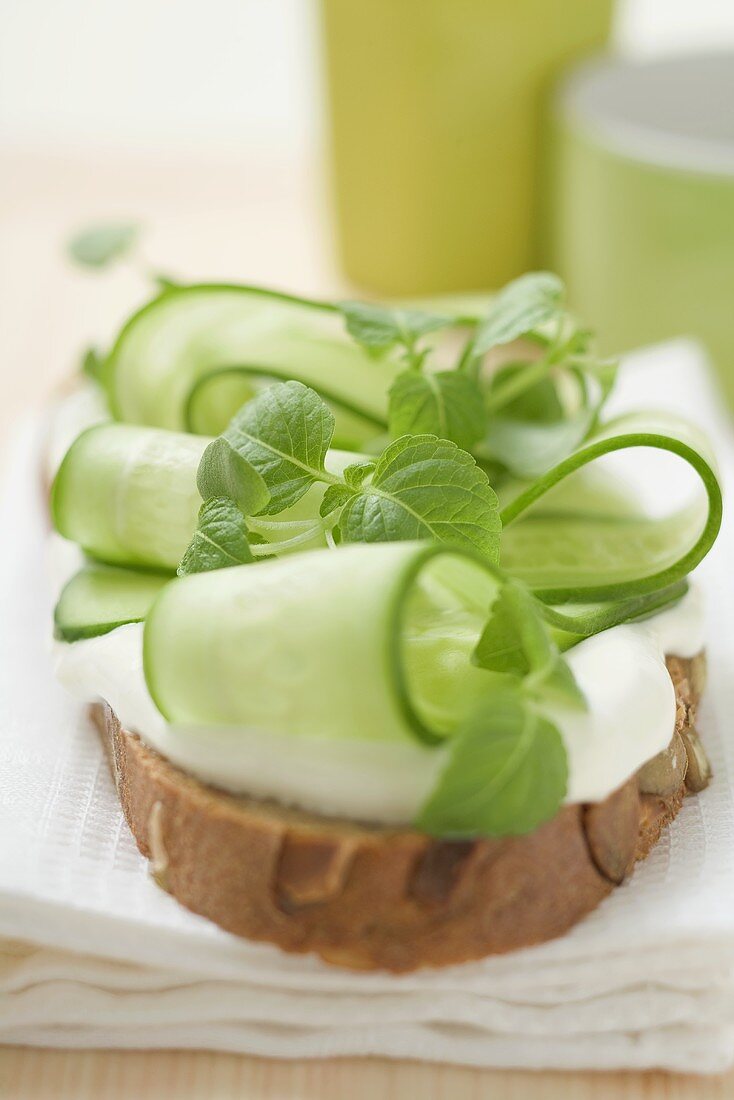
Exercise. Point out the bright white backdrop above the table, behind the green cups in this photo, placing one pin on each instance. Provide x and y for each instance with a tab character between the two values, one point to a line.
225	75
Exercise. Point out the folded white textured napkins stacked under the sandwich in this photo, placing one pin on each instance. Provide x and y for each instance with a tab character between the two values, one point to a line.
96	955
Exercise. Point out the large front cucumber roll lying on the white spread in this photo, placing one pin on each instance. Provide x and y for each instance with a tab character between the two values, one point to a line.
369	643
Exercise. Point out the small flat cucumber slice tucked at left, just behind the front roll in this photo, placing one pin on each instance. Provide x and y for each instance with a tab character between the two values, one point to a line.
98	599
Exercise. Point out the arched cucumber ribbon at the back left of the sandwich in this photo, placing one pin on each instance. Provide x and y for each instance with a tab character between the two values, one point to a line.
163	356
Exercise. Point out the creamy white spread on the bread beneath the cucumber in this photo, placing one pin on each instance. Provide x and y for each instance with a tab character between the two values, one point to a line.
631	718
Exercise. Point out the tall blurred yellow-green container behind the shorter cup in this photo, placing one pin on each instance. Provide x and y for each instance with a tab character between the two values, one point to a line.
436	109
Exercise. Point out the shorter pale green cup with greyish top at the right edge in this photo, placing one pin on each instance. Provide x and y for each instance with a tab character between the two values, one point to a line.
642	201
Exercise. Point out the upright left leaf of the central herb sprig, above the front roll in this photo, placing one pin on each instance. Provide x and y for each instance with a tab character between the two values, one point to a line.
284	435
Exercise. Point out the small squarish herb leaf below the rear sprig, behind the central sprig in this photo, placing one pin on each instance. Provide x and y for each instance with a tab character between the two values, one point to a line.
447	404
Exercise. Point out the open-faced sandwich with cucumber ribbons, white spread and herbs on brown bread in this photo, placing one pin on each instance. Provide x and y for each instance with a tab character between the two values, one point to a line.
392	663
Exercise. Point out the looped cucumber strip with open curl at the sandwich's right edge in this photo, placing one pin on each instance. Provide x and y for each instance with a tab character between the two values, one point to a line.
567	557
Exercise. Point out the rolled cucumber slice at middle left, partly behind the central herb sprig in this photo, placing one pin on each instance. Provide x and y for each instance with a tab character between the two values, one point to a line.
128	496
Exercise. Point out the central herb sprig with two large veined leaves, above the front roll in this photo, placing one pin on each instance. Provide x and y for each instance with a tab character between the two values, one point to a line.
420	488
